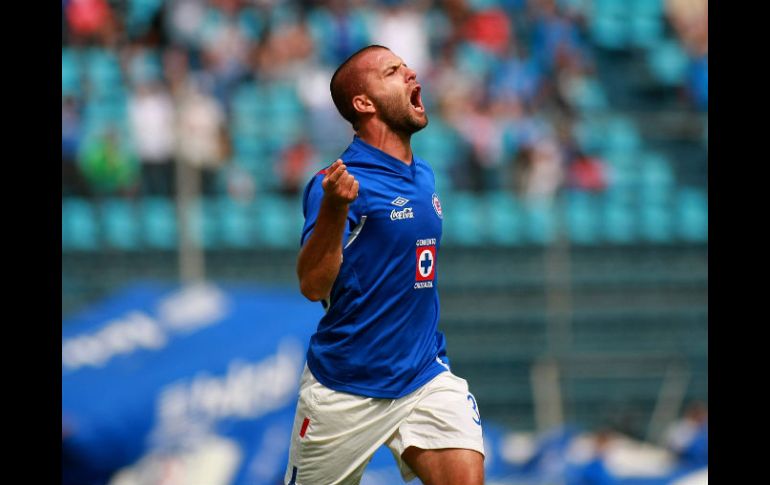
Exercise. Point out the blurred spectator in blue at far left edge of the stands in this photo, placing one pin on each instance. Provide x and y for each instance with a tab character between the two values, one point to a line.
71	133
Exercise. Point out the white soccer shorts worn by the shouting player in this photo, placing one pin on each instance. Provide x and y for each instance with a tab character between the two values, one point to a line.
335	433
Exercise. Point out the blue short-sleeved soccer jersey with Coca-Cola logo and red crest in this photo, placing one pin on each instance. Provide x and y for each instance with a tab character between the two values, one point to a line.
379	337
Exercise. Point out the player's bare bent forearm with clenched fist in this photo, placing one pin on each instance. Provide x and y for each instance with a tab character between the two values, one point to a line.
321	256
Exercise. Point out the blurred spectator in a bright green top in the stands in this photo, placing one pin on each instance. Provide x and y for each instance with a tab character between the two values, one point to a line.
107	163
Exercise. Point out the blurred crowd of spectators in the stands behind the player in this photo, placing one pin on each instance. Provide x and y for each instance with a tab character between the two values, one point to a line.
501	76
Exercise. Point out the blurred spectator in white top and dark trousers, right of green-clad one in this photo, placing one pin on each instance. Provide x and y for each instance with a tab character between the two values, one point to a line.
151	118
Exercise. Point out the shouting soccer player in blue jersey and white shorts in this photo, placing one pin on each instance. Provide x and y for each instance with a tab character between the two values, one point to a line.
377	371
